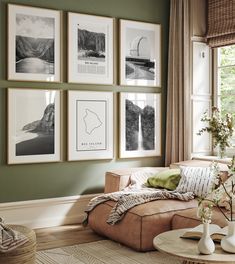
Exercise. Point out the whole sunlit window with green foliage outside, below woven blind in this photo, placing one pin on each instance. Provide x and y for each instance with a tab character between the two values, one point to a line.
225	82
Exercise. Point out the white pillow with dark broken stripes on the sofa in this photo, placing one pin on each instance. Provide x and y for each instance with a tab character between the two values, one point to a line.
198	180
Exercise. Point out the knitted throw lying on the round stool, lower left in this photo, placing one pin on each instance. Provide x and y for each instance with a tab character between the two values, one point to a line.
9	238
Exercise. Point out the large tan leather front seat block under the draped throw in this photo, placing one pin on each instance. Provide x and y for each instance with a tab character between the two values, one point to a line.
140	224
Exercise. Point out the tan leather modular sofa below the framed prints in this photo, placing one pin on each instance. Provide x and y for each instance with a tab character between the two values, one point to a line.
143	222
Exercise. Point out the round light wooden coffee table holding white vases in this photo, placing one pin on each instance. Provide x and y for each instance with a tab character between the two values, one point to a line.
186	249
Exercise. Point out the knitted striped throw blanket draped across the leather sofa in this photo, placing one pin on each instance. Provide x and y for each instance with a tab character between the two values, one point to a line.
126	200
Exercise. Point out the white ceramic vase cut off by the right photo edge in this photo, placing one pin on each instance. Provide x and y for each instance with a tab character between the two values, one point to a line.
228	242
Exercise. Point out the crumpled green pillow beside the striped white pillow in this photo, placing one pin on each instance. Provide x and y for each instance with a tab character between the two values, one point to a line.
167	179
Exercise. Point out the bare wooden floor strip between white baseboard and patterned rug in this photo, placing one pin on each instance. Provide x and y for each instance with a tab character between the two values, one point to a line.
62	236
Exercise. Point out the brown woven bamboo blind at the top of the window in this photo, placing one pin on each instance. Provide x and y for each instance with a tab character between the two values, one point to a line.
221	23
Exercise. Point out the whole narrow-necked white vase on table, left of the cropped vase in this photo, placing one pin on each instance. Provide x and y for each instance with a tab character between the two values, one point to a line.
206	245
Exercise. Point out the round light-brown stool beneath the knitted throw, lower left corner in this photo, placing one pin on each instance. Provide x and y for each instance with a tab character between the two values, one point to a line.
24	254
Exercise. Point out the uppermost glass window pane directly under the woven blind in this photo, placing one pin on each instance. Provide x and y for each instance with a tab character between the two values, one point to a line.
226	56
